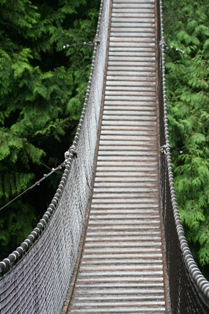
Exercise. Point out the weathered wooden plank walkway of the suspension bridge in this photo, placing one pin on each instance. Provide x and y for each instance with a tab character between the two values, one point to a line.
121	269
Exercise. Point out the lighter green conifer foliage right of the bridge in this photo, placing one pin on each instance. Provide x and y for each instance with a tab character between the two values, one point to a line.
186	27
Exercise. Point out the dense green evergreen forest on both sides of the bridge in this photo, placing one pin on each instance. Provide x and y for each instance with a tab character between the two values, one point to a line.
42	86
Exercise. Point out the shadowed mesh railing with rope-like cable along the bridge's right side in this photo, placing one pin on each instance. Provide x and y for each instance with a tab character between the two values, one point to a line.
189	290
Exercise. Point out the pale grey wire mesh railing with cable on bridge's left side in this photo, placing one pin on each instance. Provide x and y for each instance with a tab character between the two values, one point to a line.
35	278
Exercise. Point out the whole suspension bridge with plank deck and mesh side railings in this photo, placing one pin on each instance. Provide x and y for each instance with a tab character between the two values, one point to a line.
111	240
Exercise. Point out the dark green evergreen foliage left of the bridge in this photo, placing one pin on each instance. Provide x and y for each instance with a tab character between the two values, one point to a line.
42	86
